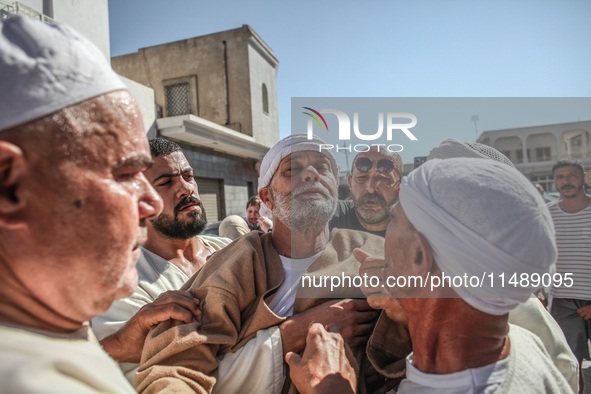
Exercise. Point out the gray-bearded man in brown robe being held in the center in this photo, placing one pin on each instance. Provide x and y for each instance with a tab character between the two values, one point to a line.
251	284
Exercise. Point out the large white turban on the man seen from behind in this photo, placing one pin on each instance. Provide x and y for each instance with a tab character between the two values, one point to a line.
481	217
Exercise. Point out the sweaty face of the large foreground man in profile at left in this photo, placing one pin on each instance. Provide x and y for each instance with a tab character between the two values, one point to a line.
88	219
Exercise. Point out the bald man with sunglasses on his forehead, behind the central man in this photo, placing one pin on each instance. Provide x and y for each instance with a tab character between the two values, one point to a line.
374	181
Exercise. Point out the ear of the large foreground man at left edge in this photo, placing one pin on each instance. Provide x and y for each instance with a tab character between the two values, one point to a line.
12	171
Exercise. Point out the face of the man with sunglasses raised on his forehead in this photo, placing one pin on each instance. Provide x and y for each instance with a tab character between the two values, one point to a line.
373	192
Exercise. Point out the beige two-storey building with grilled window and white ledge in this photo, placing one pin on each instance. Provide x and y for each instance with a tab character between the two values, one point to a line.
218	99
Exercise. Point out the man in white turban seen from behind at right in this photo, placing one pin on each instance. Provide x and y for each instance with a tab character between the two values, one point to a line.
468	217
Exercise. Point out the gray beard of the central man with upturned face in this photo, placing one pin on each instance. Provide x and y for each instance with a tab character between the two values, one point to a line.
304	215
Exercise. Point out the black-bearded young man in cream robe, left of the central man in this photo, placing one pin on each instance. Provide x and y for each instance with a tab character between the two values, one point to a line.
174	251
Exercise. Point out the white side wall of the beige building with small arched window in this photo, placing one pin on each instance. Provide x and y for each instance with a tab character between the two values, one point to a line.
263	69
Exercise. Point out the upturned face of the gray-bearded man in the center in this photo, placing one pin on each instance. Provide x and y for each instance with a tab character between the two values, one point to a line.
304	191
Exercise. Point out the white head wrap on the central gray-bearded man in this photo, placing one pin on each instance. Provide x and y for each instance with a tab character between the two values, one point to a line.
284	148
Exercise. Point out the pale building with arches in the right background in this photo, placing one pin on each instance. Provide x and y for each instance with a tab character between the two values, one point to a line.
534	150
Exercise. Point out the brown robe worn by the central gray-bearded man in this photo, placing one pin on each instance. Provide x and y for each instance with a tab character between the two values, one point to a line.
235	287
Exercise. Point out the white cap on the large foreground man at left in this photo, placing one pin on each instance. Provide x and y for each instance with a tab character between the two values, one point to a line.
44	68
